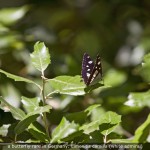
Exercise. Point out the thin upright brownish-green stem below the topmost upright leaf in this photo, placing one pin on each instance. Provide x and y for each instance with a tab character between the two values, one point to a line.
44	103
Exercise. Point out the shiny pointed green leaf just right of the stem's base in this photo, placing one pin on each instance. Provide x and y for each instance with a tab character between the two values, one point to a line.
64	129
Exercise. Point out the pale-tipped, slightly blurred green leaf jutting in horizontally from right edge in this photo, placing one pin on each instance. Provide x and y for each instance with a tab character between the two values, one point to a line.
139	99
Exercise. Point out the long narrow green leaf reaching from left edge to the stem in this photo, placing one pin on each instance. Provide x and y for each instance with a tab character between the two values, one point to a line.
18	78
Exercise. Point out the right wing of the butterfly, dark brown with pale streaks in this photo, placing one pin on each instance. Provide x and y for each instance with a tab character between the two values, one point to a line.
96	73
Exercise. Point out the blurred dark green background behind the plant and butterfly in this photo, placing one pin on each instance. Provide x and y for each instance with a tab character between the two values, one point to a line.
118	30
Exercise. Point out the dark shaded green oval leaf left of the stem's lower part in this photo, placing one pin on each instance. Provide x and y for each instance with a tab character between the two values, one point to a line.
22	125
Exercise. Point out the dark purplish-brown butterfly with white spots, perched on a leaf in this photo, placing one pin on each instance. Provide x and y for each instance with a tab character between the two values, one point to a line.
91	72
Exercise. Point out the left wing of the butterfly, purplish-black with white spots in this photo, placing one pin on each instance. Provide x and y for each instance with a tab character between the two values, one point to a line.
87	67
